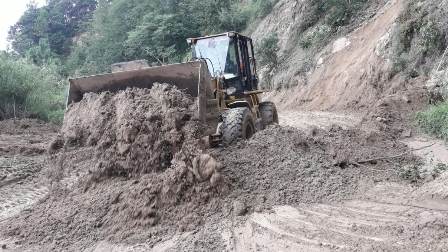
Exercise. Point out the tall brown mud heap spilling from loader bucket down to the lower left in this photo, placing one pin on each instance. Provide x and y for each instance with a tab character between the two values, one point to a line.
126	166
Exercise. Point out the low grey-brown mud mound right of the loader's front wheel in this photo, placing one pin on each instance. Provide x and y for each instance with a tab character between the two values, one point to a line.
283	165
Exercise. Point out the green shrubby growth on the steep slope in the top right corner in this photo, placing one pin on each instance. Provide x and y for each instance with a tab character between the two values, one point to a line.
420	38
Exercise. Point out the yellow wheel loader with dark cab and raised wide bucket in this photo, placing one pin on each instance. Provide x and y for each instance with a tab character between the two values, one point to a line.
222	75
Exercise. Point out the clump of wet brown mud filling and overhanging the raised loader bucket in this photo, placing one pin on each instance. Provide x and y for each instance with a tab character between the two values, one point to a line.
134	132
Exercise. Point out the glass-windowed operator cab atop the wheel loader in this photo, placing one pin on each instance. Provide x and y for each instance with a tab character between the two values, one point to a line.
229	57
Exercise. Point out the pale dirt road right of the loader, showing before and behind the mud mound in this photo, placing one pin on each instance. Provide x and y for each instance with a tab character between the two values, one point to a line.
385	216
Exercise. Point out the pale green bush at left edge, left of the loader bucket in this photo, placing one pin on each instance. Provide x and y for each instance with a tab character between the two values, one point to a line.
29	90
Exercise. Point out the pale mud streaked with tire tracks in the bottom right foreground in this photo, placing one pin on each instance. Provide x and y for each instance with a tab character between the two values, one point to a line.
355	225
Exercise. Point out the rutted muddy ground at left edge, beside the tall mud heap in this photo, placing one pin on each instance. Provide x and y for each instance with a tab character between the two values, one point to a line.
22	147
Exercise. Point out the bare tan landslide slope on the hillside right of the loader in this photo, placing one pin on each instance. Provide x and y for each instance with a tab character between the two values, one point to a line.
353	73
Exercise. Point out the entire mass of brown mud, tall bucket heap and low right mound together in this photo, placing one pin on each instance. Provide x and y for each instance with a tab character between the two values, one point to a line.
128	167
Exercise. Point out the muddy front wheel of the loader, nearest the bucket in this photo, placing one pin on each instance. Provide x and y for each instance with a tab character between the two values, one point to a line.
238	123
